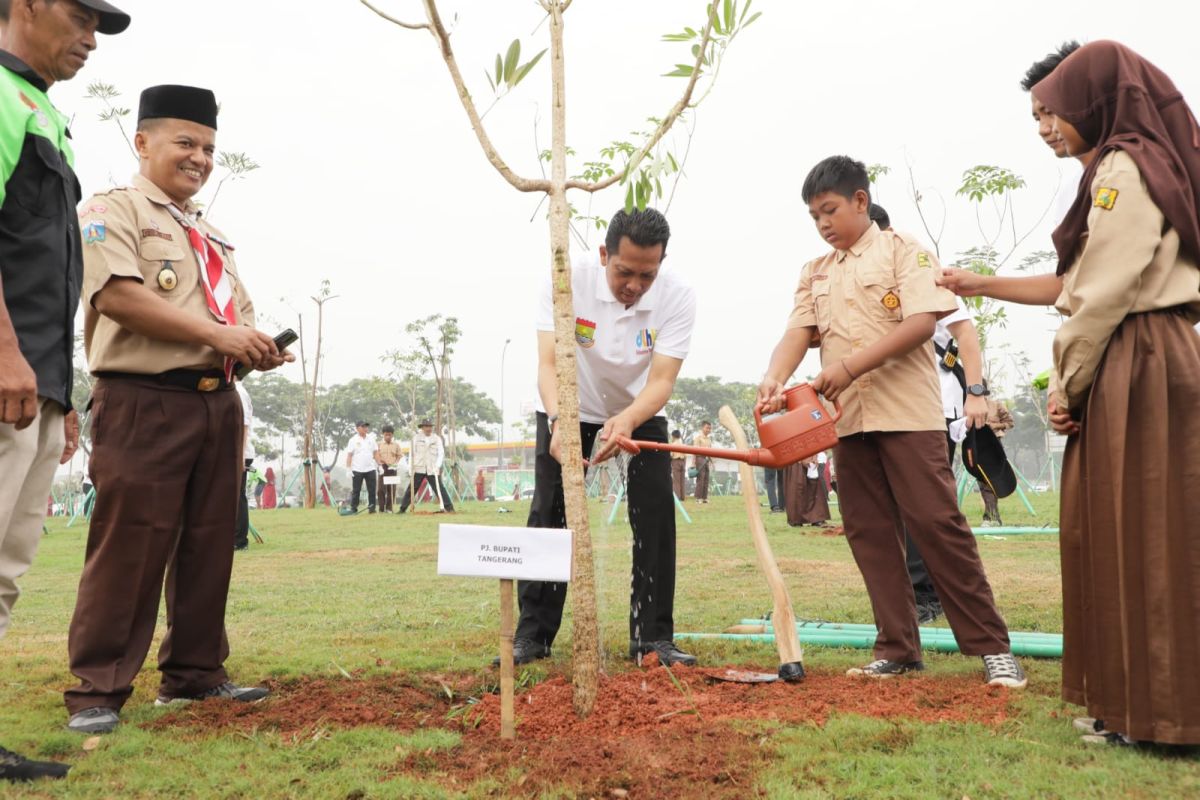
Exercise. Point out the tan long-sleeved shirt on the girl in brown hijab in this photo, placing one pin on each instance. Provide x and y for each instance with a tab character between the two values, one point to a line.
1129	263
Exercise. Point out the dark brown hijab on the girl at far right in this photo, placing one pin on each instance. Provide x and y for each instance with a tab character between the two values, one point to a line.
1118	100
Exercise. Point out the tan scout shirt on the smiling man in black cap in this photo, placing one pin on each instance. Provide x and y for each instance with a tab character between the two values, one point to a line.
140	236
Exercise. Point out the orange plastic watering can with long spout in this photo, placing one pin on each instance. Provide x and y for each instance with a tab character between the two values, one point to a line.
803	430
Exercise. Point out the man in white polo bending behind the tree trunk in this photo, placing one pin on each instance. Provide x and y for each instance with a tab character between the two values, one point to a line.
633	329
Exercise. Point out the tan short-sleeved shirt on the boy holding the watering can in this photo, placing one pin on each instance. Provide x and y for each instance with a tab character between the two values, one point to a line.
857	297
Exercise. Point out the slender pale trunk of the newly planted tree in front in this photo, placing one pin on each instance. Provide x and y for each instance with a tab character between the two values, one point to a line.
586	633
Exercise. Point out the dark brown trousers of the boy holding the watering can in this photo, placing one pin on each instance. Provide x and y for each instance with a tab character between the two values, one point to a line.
887	478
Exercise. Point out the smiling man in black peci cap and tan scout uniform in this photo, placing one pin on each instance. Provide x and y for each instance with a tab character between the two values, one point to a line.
166	320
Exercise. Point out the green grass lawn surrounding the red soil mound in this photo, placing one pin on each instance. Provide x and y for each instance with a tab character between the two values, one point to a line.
328	597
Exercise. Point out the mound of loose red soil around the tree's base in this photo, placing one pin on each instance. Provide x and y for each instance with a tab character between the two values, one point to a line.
650	736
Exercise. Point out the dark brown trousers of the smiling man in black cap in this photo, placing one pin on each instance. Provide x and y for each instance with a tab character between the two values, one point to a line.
166	464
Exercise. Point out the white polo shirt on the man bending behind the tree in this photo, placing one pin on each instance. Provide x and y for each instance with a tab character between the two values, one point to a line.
615	345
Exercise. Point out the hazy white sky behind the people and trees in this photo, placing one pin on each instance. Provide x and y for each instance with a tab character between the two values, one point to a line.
373	179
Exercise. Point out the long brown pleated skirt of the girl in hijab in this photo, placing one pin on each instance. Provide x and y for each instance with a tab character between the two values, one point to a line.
1131	537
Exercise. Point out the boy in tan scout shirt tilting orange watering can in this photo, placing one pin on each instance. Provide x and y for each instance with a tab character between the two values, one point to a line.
872	305
